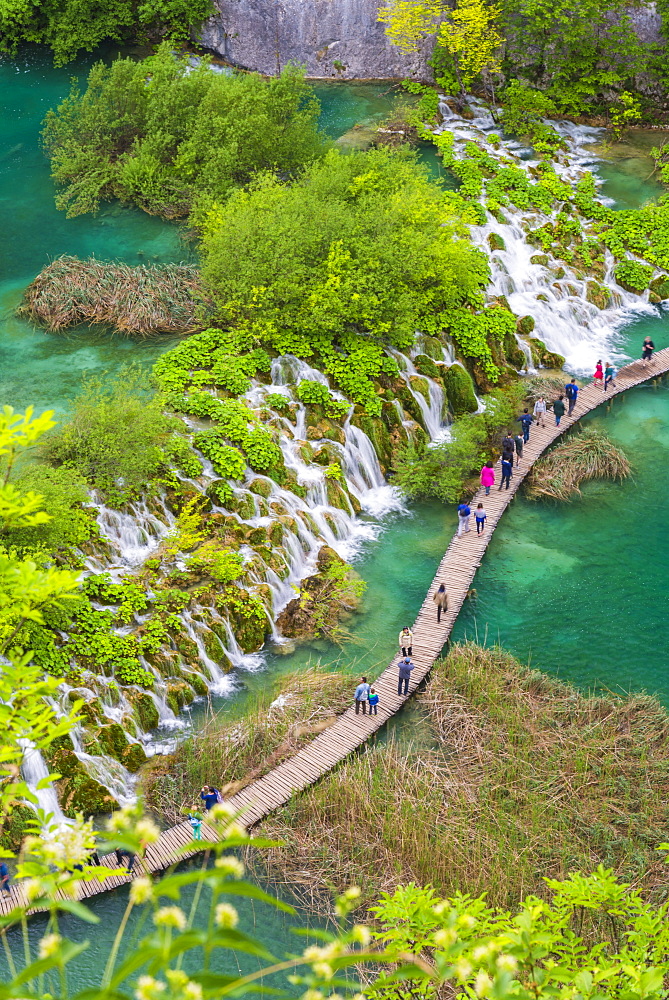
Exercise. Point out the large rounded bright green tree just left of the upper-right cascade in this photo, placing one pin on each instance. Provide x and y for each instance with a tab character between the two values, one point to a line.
361	251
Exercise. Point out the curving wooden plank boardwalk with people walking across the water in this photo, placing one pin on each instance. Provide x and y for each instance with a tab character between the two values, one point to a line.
457	570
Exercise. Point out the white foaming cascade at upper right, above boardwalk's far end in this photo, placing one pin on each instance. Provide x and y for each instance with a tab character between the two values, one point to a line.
564	318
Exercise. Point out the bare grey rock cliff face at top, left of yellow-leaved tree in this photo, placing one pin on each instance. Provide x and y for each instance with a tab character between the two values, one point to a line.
335	39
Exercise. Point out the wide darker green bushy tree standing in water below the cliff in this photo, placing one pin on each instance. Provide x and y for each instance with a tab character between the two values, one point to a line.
165	136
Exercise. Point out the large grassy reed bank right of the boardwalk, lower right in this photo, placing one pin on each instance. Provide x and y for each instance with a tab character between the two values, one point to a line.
526	779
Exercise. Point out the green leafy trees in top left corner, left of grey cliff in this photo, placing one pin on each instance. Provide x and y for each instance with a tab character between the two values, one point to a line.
70	26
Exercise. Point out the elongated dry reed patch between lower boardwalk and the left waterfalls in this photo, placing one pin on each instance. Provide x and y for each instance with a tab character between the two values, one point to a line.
231	752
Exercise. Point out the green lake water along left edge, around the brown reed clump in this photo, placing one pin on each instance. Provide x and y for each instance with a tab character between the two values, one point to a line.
37	367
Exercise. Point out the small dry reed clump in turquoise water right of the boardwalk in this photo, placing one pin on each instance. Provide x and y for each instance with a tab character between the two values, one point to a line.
588	454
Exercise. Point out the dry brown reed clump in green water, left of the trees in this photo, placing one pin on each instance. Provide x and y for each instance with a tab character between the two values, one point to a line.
143	300
